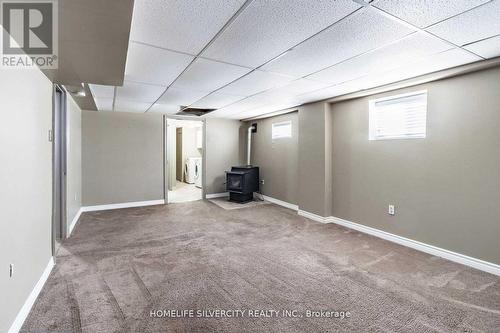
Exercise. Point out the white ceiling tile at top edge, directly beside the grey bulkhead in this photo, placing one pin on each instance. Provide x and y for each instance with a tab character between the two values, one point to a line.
180	25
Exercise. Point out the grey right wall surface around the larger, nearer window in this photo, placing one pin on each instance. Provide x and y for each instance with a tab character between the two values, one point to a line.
446	187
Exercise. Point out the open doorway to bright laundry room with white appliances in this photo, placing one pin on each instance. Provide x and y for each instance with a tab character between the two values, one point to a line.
184	160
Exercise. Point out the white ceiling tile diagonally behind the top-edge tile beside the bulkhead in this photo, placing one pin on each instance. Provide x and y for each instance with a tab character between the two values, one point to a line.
207	75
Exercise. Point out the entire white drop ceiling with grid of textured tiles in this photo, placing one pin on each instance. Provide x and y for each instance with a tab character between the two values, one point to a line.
248	58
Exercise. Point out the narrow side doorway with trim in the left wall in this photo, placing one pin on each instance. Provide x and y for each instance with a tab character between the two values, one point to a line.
59	150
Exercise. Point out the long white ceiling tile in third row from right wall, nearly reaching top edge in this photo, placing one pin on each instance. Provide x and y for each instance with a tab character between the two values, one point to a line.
361	32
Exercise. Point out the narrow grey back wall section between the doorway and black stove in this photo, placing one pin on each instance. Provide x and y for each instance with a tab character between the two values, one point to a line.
222	152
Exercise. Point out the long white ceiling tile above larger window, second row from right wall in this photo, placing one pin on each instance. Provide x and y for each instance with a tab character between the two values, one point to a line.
397	54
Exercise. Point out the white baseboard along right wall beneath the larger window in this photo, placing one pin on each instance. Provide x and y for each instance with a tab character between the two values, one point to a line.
434	250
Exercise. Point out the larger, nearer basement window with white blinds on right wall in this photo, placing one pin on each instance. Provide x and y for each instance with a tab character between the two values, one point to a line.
398	117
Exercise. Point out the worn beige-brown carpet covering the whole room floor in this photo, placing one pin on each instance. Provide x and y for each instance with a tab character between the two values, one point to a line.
120	265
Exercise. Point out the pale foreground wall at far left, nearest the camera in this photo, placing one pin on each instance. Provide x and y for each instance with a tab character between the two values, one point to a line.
26	190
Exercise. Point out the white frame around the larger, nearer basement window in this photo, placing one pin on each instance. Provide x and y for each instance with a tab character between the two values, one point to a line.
372	125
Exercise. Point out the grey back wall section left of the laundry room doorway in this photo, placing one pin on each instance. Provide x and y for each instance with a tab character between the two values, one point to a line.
122	157
